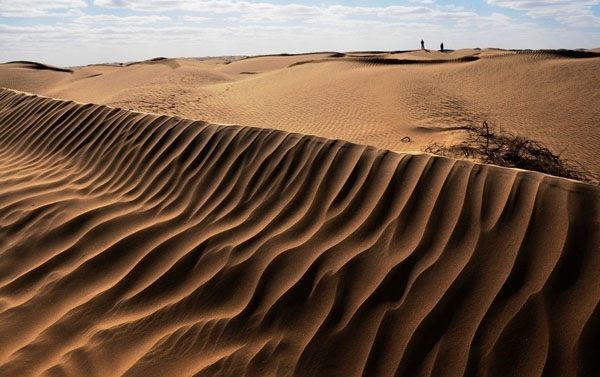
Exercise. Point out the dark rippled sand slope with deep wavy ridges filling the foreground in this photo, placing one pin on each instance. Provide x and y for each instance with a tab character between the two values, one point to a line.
145	245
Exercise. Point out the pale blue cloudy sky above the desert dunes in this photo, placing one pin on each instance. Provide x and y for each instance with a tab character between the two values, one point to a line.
78	32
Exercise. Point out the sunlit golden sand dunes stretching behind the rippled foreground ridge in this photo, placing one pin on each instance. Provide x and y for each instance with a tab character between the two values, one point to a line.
368	98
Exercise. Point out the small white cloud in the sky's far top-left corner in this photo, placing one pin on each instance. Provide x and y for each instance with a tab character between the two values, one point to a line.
37	8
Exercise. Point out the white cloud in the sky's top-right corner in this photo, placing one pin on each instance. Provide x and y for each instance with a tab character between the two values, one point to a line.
574	13
